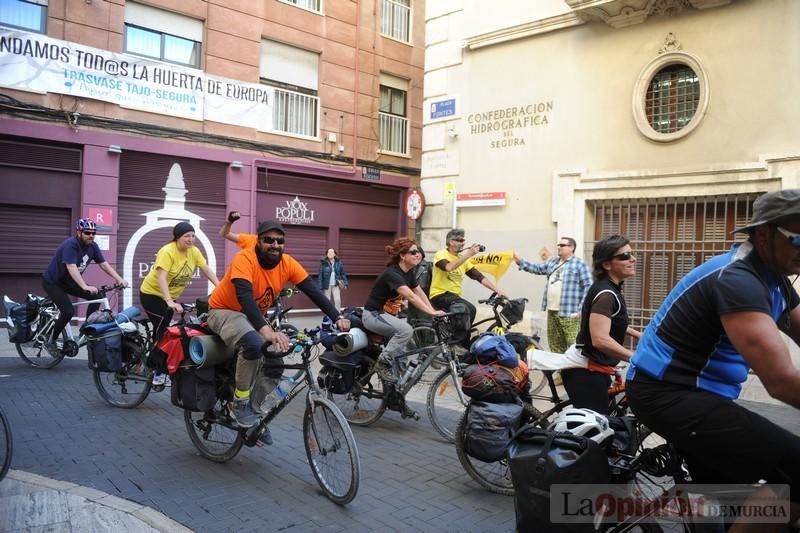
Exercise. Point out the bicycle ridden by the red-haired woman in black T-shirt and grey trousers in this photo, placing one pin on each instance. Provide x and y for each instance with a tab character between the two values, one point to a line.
363	397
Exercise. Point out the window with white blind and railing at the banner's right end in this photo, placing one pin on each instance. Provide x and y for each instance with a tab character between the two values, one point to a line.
294	73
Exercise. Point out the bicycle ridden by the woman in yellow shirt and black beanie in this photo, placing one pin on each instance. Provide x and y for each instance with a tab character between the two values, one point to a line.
130	386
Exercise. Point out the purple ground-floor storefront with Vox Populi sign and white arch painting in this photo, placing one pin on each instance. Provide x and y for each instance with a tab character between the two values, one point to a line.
138	188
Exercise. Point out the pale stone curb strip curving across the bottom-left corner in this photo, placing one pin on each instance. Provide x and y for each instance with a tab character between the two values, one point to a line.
149	516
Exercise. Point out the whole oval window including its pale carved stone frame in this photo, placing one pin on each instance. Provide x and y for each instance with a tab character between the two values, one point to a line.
670	97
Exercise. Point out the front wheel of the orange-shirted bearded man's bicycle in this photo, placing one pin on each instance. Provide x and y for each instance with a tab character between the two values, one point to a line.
331	450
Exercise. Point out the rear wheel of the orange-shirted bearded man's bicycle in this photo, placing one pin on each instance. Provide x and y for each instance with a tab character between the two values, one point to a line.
215	435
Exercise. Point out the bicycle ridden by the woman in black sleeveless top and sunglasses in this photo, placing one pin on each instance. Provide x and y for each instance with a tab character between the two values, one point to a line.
496	476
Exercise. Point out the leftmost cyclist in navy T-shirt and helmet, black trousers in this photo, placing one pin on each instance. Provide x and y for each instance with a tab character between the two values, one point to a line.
64	275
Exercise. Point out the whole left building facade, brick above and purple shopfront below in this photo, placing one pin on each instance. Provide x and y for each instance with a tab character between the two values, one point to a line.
143	114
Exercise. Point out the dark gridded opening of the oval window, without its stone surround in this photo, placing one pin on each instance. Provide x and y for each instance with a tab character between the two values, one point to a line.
671	98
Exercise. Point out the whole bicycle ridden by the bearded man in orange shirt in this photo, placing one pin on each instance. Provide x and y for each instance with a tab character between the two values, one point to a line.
328	440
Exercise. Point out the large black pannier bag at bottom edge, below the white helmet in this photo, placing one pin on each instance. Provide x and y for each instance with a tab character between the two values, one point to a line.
539	459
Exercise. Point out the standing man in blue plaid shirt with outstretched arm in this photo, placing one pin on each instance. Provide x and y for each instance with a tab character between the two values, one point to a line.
568	279
